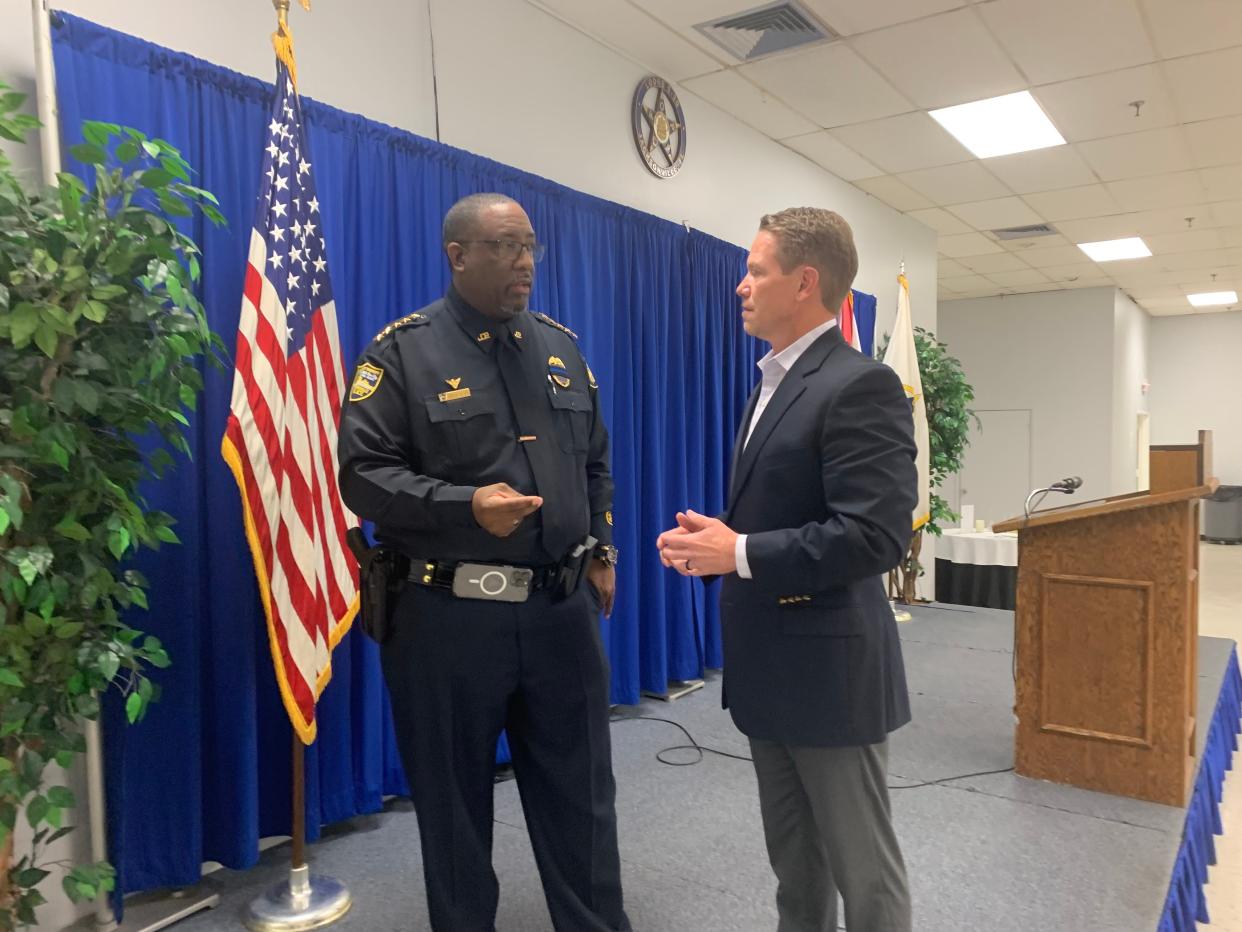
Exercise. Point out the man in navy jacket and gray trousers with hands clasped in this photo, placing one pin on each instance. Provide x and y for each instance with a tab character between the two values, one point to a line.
820	509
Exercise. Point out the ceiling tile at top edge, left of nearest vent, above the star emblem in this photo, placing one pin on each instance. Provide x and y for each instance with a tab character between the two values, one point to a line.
635	34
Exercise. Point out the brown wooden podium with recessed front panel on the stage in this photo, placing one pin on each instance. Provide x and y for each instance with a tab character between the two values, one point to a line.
1107	636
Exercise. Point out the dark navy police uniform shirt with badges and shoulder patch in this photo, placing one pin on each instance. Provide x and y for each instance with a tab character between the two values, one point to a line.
429	419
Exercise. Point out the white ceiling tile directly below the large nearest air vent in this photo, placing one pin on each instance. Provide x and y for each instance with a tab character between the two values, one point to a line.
829	84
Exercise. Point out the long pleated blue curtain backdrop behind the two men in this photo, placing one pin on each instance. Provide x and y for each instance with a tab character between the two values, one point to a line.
207	774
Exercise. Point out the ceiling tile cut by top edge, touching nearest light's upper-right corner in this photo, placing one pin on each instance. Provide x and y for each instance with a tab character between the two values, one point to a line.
1054	40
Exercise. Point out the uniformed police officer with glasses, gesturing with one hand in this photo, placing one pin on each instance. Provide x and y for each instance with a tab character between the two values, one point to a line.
473	438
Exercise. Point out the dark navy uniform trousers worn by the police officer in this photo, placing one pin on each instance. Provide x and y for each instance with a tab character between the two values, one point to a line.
459	672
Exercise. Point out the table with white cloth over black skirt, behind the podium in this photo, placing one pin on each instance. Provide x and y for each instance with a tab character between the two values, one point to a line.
977	569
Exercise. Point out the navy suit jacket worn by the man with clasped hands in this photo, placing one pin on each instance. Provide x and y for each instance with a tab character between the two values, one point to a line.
825	491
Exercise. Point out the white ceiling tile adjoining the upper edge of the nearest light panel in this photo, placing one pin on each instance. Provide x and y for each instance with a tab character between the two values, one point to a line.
915	58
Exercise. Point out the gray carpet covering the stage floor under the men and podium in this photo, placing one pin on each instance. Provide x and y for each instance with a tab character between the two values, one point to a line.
984	853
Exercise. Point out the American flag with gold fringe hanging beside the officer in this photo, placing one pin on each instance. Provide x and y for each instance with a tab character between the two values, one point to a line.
281	441
